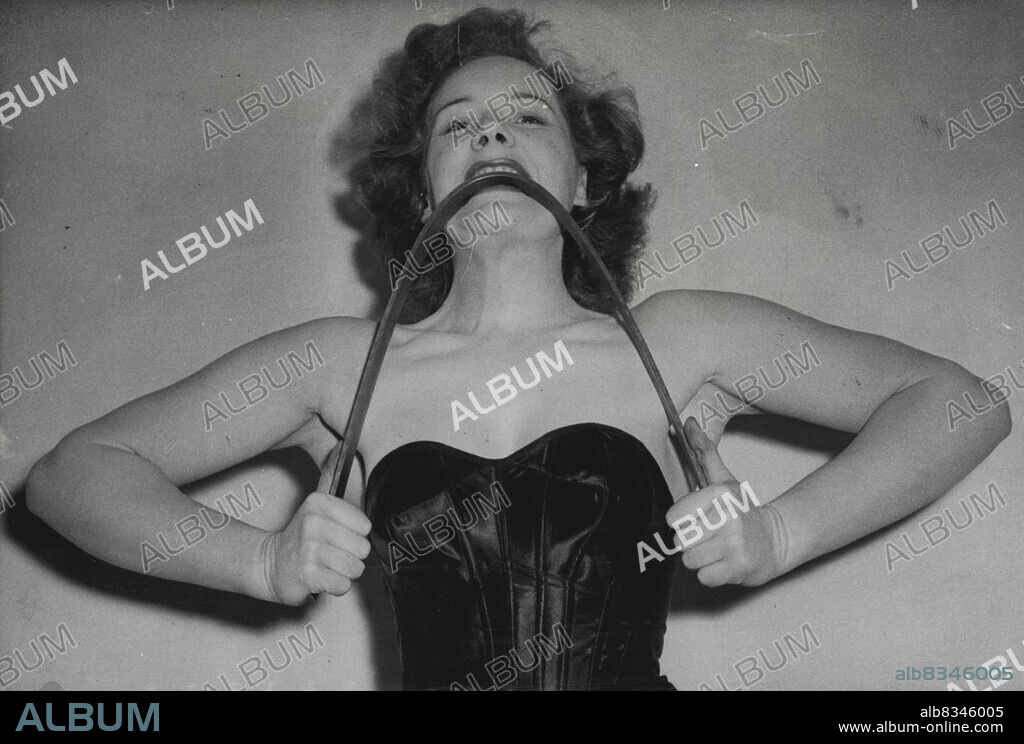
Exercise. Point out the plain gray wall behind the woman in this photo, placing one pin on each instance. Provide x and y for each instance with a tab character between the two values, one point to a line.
850	173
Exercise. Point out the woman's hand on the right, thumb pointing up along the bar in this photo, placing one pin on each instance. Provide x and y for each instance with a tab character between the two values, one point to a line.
748	549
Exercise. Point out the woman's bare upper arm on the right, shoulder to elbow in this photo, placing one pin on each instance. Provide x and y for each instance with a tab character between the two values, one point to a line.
822	373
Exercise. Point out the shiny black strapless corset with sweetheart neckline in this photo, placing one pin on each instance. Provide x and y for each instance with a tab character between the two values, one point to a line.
523	574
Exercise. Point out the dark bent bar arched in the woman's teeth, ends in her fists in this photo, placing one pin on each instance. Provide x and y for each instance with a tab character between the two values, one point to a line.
342	459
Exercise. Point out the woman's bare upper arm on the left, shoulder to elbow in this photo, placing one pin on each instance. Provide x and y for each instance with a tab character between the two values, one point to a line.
270	392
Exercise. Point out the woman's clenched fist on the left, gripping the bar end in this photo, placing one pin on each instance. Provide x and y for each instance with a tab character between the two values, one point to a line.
322	550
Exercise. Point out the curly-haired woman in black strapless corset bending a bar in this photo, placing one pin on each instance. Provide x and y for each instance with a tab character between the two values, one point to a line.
510	531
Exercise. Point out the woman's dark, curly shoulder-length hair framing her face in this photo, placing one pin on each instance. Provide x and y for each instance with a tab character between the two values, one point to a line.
606	133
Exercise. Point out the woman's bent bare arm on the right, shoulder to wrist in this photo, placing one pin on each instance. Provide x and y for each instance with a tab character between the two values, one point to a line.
892	396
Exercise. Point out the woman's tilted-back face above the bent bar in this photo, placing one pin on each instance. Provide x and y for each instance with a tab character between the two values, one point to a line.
532	132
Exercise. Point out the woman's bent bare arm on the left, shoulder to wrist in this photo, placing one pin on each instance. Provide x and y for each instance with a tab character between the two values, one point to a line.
110	487
